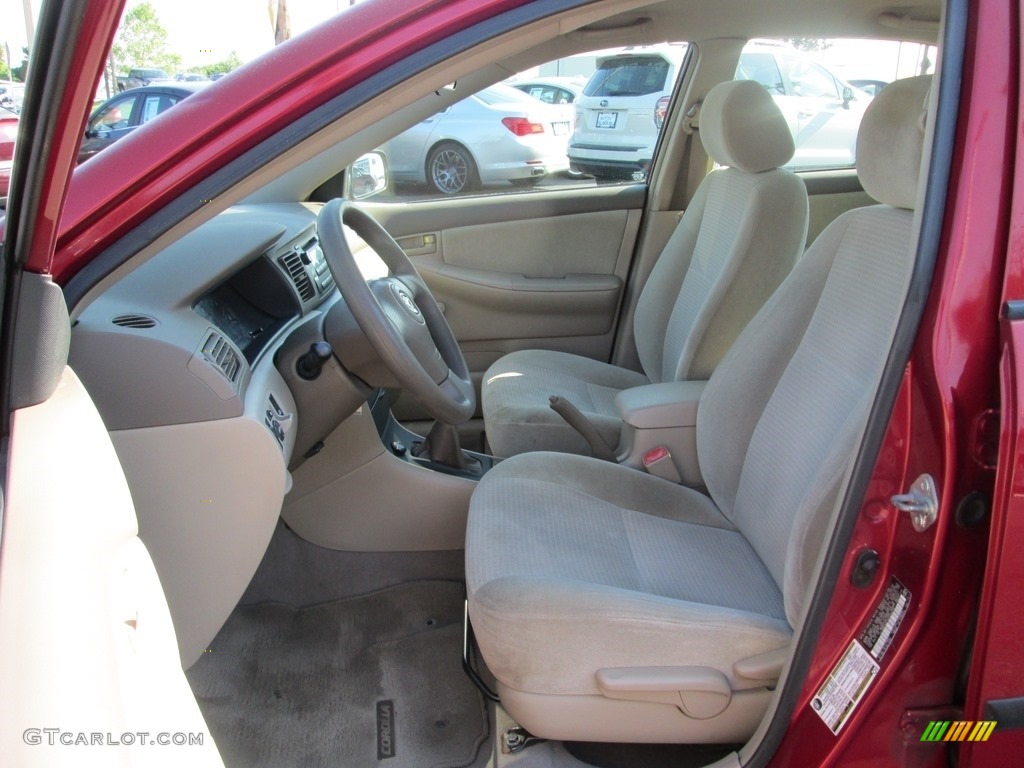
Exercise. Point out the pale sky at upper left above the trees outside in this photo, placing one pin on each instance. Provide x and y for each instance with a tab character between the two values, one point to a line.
201	31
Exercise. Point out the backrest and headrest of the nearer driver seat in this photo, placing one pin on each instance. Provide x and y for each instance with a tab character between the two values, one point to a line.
783	416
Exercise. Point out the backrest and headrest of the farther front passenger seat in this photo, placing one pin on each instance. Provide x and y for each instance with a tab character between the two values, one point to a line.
739	239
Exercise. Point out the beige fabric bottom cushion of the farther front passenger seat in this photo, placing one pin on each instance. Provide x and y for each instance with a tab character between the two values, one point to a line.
518	389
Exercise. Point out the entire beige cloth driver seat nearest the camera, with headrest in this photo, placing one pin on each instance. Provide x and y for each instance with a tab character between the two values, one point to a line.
613	606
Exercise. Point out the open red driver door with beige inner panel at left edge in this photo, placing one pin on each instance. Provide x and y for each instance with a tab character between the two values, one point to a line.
91	669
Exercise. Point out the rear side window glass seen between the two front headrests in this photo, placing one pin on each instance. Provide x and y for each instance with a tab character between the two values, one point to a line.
823	89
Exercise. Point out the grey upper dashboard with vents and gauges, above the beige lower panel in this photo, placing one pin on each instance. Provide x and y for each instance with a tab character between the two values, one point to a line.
189	334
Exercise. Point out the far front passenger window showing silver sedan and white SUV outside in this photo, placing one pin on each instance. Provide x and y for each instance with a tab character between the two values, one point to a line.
590	119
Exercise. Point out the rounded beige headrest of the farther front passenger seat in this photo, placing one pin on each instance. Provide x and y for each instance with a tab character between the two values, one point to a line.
742	127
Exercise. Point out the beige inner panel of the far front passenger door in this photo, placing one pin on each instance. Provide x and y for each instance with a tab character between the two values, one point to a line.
536	271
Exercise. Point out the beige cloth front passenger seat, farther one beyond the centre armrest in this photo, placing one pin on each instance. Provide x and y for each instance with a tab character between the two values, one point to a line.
738	240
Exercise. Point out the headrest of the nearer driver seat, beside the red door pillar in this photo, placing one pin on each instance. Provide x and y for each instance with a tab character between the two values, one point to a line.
890	142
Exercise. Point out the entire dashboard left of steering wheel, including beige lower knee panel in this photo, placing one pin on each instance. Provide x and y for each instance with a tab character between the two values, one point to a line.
189	360
